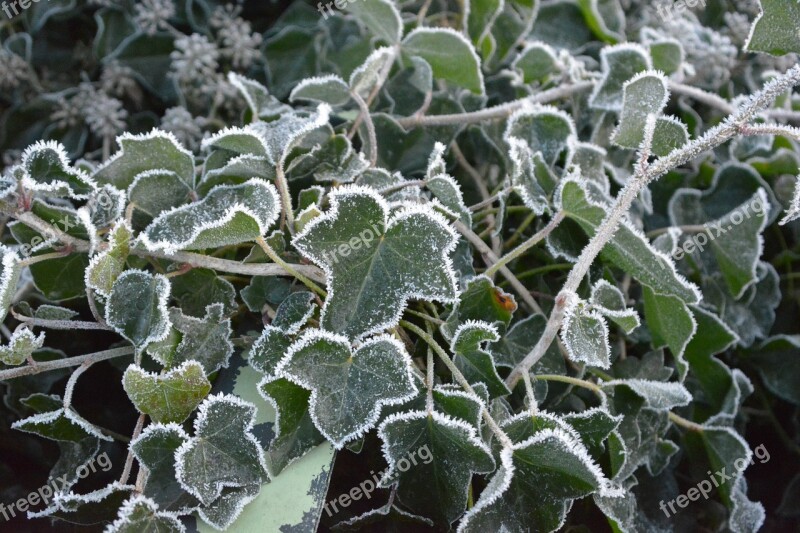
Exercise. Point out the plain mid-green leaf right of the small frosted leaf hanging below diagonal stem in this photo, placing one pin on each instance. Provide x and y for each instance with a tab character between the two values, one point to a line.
671	324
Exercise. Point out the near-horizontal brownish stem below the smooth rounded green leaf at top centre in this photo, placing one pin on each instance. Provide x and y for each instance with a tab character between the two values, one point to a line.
496	112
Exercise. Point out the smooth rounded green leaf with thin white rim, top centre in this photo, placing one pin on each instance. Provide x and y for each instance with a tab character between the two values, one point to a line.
449	54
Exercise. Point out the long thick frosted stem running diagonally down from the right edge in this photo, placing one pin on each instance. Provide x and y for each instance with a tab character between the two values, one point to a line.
714	137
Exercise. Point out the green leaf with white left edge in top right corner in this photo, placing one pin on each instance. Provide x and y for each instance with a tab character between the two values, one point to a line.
775	29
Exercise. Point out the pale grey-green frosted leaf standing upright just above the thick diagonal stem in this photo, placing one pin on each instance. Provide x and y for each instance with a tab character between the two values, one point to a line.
643	95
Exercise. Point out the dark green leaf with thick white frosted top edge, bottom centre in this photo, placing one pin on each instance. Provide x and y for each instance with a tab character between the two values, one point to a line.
453	452
